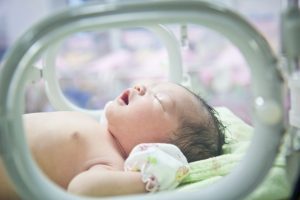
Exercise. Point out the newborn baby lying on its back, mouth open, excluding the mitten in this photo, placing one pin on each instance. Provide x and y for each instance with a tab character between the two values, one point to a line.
86	157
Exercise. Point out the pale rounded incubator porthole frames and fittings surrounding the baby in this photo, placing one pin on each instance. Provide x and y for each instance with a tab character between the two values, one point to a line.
267	88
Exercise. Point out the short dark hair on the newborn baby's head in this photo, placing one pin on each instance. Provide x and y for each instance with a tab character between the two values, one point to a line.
200	138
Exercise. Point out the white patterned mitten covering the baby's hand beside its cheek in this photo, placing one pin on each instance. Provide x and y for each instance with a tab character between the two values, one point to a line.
163	166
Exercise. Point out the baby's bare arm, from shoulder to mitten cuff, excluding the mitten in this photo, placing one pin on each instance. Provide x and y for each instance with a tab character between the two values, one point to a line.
102	180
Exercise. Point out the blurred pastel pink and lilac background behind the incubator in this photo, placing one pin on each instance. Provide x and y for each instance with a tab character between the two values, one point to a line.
94	67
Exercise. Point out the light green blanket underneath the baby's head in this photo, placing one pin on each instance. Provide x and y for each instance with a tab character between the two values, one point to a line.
238	136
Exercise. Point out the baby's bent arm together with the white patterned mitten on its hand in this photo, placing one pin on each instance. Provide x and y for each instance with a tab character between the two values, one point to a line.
149	167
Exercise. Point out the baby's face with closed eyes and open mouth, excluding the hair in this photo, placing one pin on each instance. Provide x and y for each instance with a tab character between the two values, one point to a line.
148	113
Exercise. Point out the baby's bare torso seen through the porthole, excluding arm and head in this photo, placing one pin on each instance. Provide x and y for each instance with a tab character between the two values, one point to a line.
67	143
